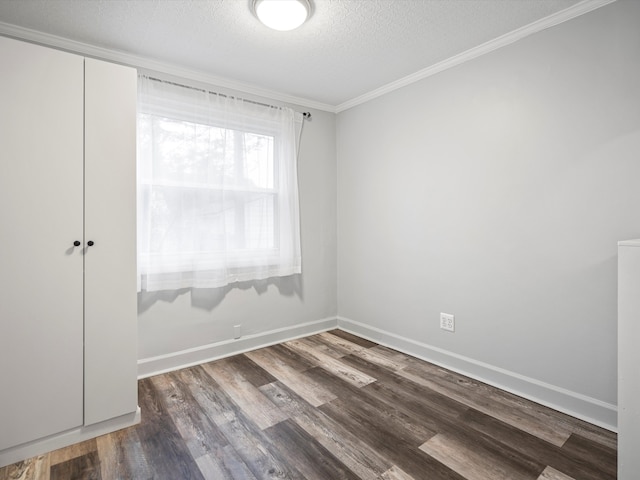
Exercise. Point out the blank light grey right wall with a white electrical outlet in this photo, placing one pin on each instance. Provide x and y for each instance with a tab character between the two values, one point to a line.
496	191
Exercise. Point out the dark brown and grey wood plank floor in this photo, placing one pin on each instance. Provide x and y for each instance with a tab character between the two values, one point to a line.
327	407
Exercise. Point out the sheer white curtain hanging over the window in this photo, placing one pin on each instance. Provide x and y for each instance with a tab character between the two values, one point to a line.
218	192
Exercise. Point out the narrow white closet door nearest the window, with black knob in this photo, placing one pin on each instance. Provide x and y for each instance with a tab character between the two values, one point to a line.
110	222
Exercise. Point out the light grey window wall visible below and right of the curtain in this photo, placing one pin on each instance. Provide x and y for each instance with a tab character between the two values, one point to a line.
172	322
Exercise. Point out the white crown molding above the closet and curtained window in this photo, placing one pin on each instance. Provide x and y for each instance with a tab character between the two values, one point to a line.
136	61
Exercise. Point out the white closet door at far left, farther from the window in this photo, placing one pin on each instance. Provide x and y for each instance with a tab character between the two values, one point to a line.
41	324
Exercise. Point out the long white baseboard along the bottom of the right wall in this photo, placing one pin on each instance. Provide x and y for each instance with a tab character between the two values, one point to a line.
575	404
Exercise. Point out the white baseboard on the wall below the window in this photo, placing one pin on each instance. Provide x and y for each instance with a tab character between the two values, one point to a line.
148	367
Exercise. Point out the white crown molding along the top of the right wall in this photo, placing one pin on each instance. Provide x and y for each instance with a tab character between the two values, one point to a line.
562	16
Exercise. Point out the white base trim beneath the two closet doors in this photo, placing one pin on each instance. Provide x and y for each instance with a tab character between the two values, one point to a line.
76	435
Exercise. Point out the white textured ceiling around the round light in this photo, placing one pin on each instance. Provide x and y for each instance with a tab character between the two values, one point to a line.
347	49
